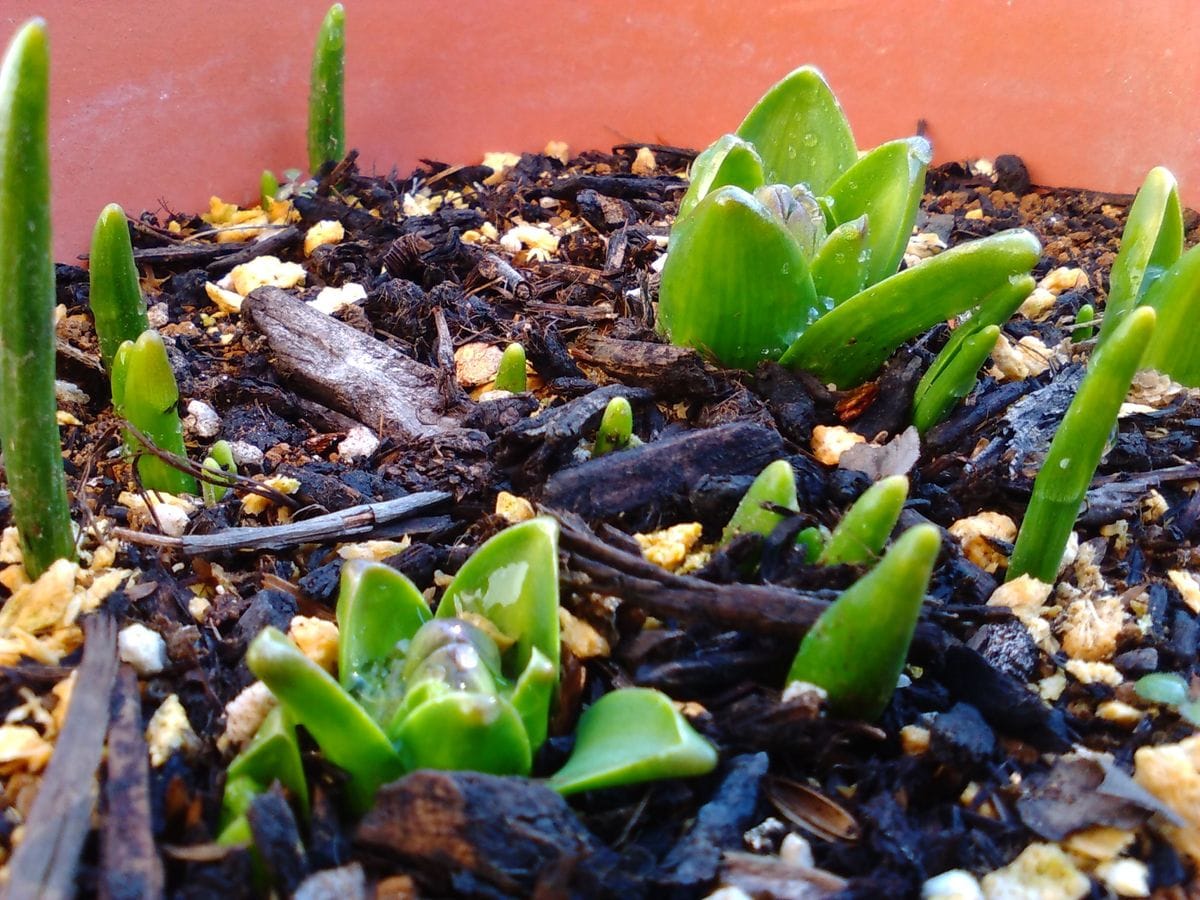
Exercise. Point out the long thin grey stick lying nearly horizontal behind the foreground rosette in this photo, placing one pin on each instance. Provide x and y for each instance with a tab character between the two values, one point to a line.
356	521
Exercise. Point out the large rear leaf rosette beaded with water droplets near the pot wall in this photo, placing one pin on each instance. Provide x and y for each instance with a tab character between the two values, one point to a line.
788	244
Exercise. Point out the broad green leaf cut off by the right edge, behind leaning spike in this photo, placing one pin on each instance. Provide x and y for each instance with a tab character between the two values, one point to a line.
1175	297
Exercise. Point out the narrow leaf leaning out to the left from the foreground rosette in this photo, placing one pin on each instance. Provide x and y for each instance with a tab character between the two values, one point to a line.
347	736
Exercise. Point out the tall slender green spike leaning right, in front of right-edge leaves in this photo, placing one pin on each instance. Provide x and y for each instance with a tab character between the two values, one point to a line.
1077	449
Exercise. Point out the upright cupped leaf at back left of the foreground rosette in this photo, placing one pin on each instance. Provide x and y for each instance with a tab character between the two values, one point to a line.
379	613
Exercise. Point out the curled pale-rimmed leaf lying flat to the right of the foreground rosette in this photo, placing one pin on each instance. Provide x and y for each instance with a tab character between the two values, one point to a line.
633	736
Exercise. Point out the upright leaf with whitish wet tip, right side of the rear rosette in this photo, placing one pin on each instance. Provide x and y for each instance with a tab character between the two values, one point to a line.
886	187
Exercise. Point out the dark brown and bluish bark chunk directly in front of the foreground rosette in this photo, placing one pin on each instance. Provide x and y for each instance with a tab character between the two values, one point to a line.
508	833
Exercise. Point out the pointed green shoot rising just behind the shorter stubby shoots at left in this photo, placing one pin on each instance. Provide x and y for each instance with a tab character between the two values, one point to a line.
115	293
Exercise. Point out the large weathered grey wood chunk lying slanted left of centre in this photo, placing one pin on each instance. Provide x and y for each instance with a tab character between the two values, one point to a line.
350	371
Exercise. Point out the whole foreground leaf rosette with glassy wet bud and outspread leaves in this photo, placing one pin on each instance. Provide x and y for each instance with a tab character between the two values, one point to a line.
467	688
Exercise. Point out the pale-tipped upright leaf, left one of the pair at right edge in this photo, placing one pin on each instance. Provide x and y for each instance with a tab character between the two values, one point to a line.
1151	243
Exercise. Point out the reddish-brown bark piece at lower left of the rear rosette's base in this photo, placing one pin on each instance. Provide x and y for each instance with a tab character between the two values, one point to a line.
671	373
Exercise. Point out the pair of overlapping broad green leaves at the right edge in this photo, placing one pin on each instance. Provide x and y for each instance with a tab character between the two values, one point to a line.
1153	271
